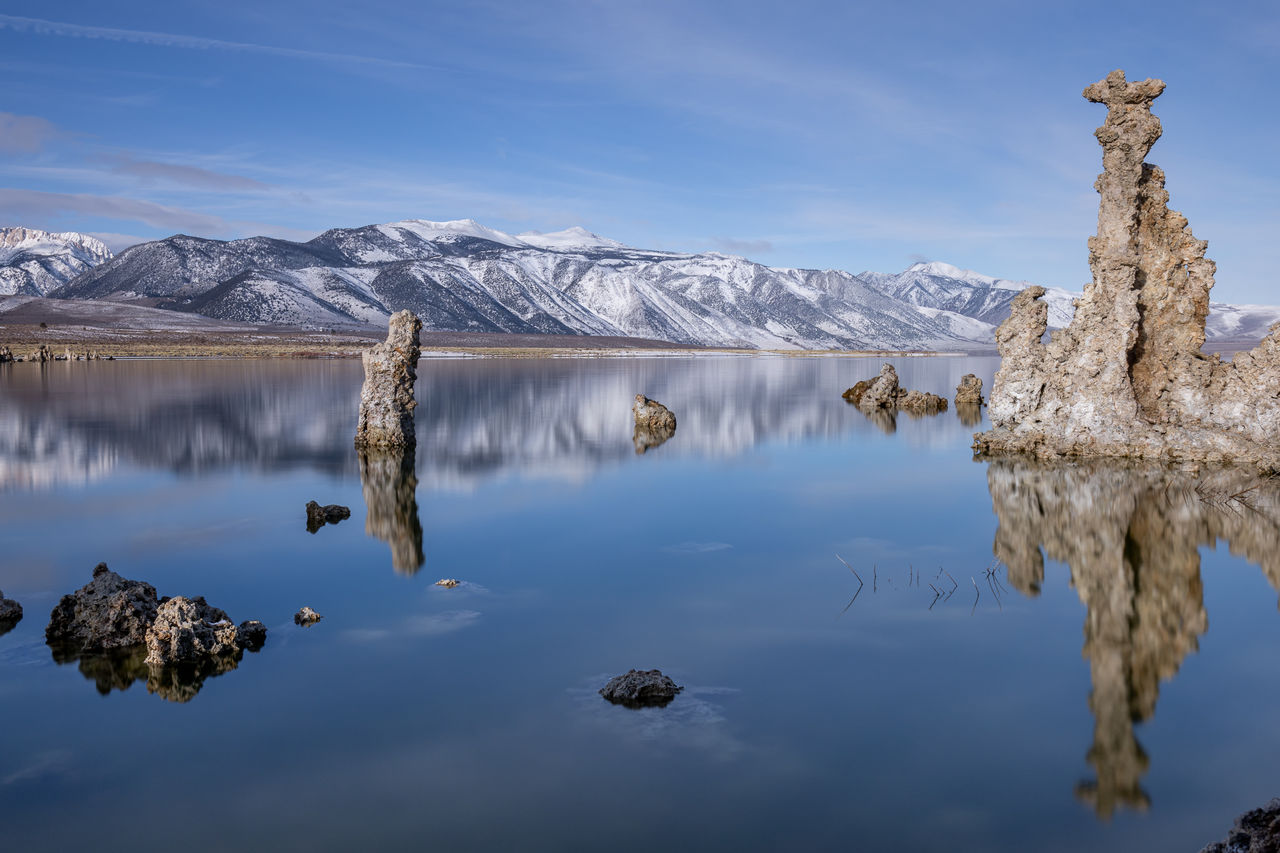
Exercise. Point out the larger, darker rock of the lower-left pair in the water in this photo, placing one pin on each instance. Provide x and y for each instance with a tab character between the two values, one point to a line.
108	613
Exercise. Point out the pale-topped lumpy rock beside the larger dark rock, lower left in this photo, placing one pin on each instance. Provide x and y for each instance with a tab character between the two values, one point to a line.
190	631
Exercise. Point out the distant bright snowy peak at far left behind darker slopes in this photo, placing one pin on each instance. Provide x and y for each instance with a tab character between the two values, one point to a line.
34	263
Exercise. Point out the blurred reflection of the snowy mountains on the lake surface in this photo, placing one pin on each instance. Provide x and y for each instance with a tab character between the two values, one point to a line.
478	418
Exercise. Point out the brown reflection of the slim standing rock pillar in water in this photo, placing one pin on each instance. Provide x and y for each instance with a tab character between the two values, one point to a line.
390	482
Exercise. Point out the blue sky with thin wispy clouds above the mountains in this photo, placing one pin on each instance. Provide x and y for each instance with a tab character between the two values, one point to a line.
808	134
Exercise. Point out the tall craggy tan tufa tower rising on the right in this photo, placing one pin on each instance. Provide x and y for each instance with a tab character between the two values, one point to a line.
1127	377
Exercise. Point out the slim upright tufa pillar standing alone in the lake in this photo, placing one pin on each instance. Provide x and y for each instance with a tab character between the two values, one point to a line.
387	400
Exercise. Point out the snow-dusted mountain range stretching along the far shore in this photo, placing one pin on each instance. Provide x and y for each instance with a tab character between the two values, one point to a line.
464	277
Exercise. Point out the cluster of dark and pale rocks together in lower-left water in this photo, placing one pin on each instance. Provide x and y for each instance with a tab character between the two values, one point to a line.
112	622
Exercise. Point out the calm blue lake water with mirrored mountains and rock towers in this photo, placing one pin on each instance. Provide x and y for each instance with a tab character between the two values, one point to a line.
1109	686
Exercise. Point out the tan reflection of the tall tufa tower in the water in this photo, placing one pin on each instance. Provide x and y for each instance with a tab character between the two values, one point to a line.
1131	537
